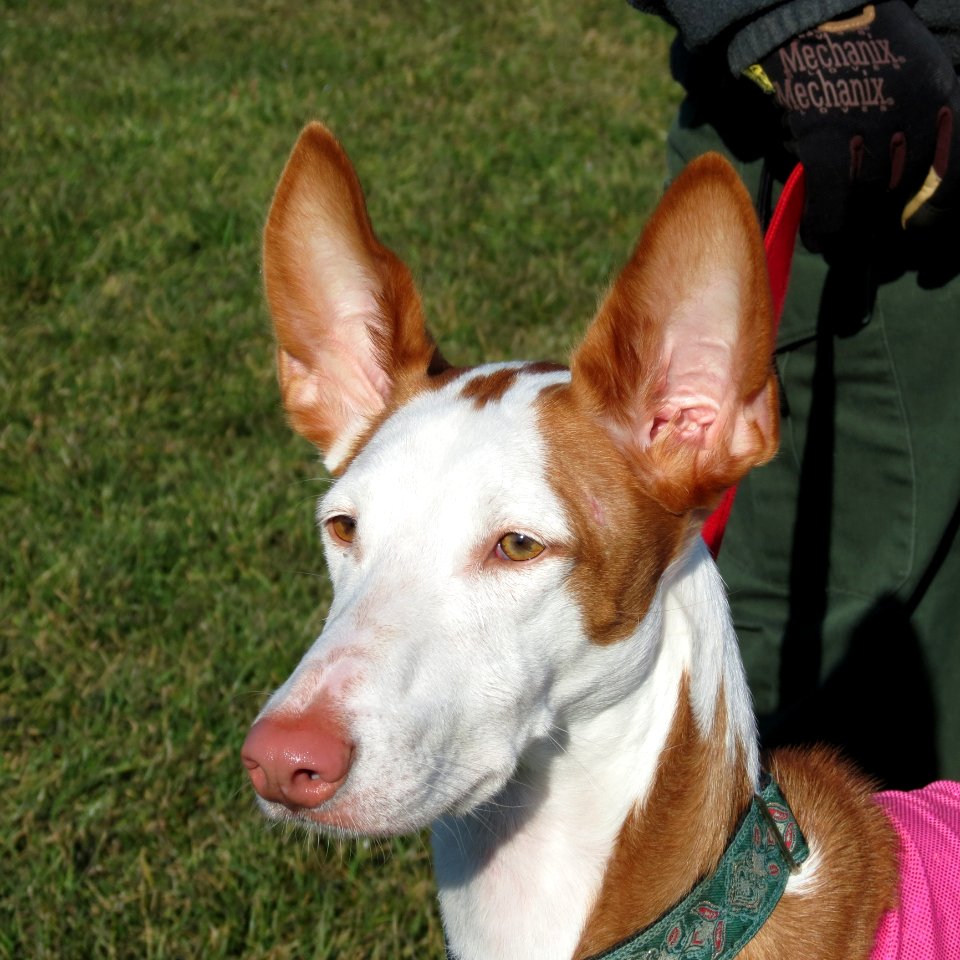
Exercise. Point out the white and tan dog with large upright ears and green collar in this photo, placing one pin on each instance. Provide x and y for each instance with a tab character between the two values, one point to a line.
529	647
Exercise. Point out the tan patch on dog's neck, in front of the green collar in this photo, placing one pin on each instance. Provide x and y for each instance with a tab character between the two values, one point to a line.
677	837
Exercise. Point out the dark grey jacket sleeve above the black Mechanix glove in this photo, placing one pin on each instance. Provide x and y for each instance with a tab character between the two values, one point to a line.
750	29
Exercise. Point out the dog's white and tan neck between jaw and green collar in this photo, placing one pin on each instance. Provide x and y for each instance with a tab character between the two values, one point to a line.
649	785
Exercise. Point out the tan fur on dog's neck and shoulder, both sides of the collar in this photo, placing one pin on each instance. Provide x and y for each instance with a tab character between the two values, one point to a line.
677	839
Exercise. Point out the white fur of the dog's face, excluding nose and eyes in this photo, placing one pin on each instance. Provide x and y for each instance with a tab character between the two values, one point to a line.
439	653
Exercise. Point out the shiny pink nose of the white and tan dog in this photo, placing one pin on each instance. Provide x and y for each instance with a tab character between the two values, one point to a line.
299	761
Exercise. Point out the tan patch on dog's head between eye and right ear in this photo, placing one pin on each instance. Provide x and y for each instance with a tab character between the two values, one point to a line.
623	539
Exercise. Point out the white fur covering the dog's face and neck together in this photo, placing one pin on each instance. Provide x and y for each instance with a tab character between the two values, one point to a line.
474	696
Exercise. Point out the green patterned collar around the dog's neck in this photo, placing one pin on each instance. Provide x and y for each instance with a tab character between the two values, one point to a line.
724	912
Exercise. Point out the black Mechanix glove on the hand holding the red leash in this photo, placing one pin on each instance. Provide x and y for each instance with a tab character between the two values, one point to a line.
872	107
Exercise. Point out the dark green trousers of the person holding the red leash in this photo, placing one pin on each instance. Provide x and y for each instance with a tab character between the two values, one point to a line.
842	557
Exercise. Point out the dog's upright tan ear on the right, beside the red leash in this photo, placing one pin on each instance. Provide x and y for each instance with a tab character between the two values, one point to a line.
677	364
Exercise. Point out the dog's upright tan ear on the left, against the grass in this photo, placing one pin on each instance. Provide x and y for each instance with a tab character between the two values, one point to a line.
345	310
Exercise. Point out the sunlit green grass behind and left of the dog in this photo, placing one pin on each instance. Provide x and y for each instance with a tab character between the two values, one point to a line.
160	572
